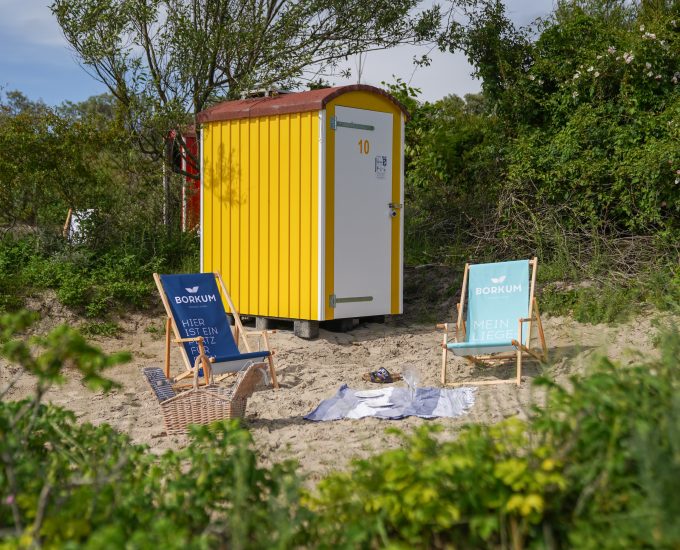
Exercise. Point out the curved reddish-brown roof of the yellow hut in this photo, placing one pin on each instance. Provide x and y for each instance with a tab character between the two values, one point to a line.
300	102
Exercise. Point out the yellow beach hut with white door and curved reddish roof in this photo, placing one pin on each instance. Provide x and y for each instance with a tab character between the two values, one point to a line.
302	204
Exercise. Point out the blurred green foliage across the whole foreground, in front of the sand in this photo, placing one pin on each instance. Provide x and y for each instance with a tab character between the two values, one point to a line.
596	466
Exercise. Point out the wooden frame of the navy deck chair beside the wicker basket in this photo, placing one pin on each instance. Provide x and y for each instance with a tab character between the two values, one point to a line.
239	333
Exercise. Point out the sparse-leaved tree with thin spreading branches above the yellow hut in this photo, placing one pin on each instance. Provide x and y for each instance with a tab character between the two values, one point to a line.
166	60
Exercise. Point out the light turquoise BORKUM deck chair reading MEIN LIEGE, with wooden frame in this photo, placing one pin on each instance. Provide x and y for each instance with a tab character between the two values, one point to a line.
490	326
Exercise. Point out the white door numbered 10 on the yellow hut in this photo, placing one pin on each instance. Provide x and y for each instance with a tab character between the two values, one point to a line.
363	191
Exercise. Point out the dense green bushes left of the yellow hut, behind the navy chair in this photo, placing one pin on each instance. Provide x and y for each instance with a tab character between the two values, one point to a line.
77	156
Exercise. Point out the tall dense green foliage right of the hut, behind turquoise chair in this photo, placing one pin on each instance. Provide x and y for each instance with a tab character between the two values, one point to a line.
570	153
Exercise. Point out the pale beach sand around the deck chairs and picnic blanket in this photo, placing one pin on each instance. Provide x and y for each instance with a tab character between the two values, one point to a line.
310	371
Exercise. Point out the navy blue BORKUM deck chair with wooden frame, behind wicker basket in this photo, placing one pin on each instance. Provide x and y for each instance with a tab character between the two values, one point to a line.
199	322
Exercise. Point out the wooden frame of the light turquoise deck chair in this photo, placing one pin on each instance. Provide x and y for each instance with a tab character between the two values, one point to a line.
533	321
